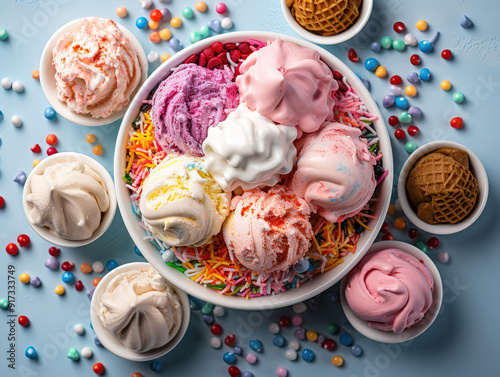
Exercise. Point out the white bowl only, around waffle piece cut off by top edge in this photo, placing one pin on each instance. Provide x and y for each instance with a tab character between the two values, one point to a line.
364	14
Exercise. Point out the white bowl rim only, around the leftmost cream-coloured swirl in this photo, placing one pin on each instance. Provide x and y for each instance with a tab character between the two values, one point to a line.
107	217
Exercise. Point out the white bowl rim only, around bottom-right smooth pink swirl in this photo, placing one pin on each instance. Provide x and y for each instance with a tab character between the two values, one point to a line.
420	327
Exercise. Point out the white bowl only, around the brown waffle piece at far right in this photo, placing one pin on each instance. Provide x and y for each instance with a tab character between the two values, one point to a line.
478	171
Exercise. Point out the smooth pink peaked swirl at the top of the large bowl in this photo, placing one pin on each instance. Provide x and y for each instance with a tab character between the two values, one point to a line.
289	84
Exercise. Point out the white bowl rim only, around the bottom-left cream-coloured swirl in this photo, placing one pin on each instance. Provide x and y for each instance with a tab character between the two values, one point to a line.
114	345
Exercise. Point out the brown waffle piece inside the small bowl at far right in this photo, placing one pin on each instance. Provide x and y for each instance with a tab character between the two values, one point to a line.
441	187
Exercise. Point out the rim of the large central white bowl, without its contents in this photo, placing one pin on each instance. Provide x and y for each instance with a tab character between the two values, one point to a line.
290	297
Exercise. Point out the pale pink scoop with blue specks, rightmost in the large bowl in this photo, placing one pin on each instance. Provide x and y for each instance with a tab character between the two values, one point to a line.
334	172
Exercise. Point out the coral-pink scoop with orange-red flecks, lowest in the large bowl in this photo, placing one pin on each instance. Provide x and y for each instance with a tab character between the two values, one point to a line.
268	231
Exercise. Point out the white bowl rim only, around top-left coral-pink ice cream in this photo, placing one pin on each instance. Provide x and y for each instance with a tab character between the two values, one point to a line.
48	82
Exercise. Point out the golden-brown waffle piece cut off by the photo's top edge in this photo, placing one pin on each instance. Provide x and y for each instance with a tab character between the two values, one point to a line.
326	17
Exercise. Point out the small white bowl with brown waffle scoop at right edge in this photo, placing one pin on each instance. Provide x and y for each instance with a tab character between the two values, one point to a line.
443	187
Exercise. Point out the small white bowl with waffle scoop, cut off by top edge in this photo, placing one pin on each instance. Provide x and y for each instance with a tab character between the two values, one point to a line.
327	22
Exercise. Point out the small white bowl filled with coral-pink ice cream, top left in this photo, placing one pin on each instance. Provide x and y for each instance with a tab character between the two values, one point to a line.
90	69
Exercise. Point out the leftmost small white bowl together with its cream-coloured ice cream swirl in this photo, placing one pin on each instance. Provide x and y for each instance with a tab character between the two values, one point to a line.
69	199
